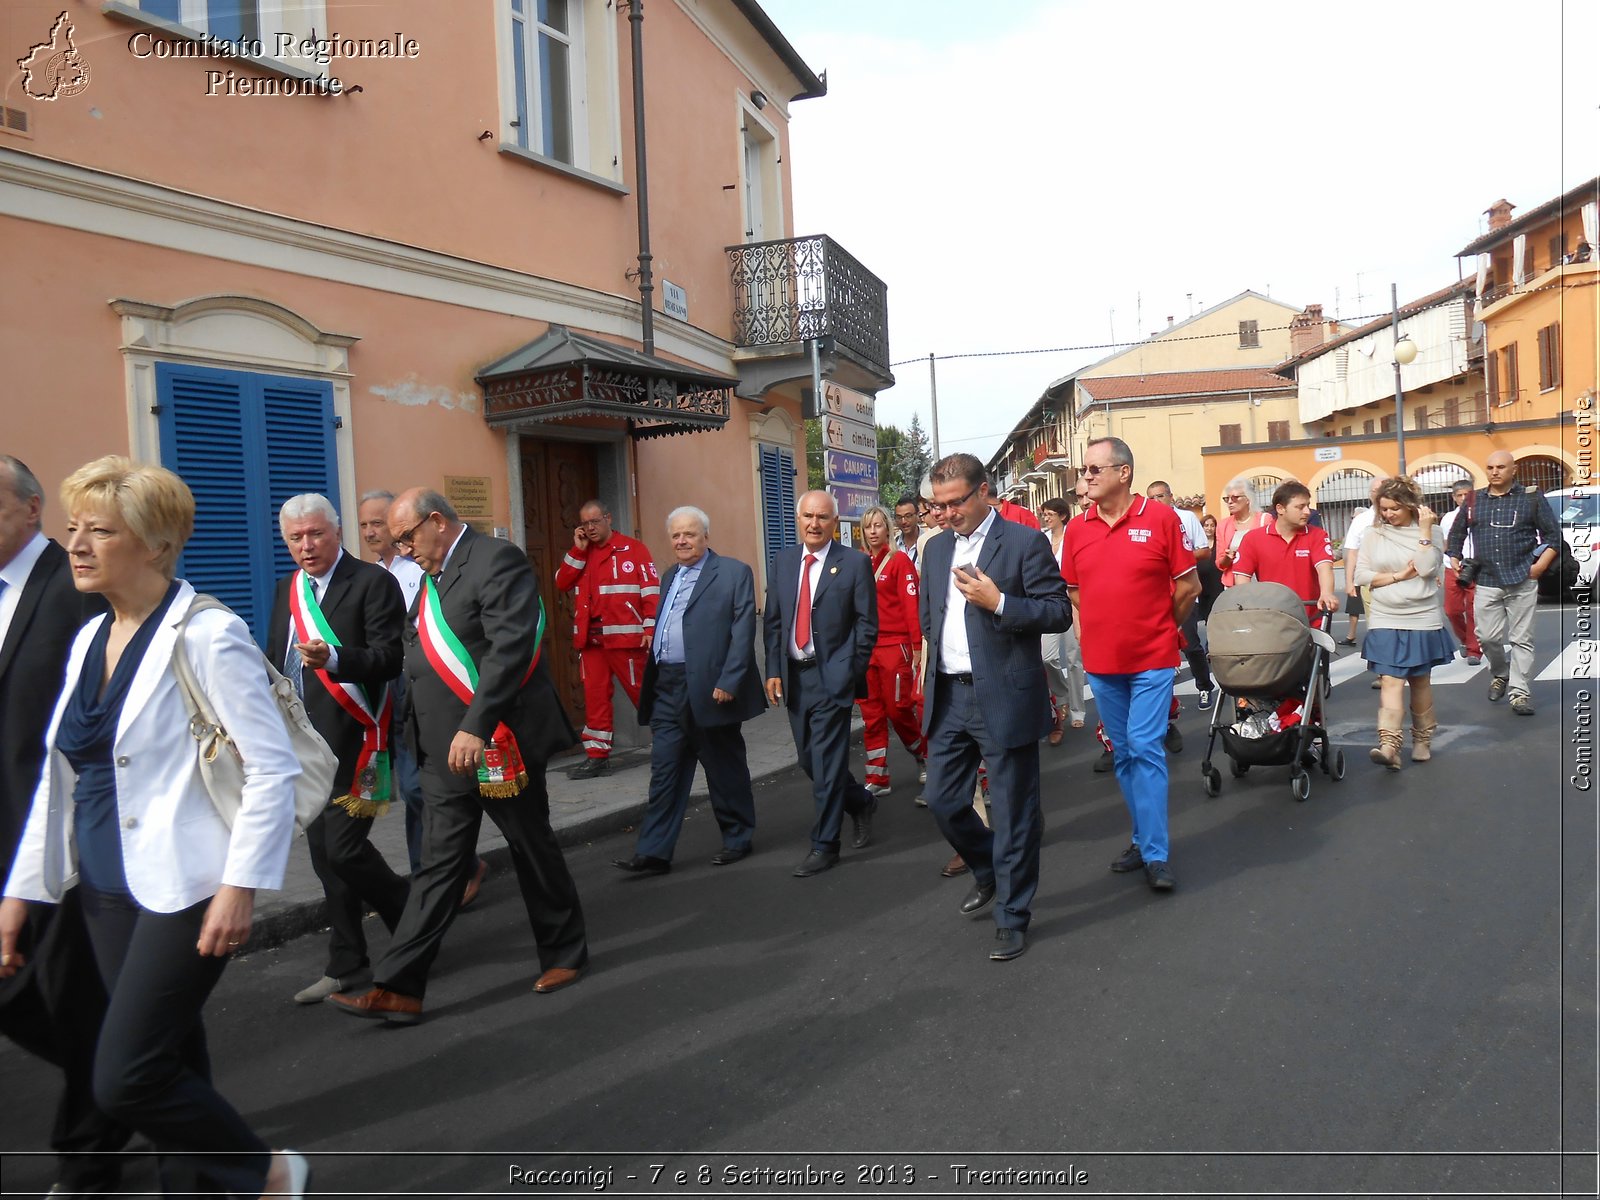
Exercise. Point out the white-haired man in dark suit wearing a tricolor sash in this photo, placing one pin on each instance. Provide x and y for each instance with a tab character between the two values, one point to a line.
335	633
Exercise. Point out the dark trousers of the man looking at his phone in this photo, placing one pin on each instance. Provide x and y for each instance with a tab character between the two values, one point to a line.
1006	852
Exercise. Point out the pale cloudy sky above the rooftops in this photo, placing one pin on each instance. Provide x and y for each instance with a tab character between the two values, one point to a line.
1068	174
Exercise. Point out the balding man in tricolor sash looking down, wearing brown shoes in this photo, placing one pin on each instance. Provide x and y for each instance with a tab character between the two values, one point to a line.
486	719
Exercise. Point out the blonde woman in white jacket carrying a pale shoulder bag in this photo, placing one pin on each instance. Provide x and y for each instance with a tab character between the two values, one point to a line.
124	815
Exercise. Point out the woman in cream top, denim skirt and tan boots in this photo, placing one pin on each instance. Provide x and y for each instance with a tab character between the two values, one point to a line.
1406	620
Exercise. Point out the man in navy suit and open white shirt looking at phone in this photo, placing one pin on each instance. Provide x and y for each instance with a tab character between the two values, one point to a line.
991	588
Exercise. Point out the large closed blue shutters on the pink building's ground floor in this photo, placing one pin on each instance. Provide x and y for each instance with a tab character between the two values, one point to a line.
244	444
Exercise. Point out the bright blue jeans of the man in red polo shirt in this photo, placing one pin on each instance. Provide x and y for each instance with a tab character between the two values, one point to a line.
1134	710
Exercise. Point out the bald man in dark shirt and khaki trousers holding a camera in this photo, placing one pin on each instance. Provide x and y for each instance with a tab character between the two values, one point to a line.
1508	526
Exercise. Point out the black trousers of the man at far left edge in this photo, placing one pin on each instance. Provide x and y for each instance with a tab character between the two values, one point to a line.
54	1009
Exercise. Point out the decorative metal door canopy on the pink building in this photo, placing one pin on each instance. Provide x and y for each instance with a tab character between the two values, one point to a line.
567	375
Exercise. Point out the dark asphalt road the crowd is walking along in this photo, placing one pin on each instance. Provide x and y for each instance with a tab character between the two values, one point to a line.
1390	988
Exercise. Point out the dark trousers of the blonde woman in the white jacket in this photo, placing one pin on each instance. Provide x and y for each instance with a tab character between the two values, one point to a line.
151	1070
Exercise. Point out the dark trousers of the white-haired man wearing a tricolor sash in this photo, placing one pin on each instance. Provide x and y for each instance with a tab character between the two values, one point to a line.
354	876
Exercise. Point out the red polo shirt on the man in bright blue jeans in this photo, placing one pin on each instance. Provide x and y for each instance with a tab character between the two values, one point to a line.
1124	575
